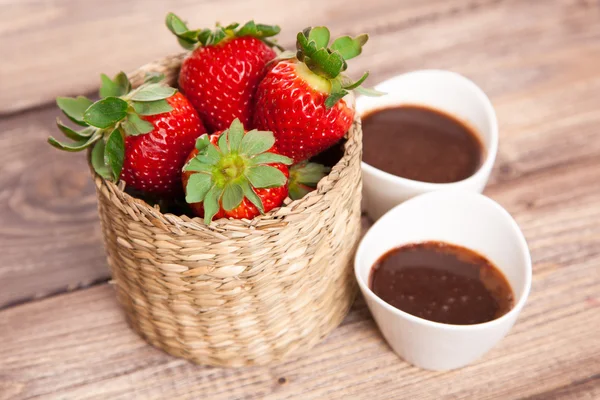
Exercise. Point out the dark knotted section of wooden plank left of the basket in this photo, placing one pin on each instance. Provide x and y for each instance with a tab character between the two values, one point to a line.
49	231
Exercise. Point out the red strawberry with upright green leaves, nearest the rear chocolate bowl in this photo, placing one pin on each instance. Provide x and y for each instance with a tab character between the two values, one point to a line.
300	99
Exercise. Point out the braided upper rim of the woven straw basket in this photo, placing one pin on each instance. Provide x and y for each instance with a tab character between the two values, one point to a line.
330	180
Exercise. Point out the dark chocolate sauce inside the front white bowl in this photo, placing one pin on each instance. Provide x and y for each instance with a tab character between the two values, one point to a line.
442	282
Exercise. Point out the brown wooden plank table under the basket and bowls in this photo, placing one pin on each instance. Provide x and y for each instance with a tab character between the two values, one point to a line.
62	334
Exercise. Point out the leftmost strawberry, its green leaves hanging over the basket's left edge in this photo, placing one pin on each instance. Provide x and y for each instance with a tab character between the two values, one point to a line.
141	136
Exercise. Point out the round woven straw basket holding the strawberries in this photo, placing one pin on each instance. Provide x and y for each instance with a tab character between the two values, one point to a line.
239	292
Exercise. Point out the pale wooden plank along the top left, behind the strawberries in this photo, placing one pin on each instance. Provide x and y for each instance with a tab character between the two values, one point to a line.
61	47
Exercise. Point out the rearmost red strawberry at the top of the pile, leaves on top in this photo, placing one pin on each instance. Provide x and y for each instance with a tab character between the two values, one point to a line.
220	75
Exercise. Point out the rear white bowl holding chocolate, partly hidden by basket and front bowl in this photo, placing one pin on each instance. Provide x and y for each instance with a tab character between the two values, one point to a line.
442	90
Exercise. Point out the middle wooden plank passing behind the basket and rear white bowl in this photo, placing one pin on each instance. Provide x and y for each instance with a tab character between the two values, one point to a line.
546	99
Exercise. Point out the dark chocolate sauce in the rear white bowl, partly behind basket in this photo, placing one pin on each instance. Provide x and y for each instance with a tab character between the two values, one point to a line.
421	144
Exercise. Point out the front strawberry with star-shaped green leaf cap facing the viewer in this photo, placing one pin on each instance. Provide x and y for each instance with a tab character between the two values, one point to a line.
235	174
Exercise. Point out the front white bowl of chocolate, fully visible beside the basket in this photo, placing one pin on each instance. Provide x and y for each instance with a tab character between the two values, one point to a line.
463	218
